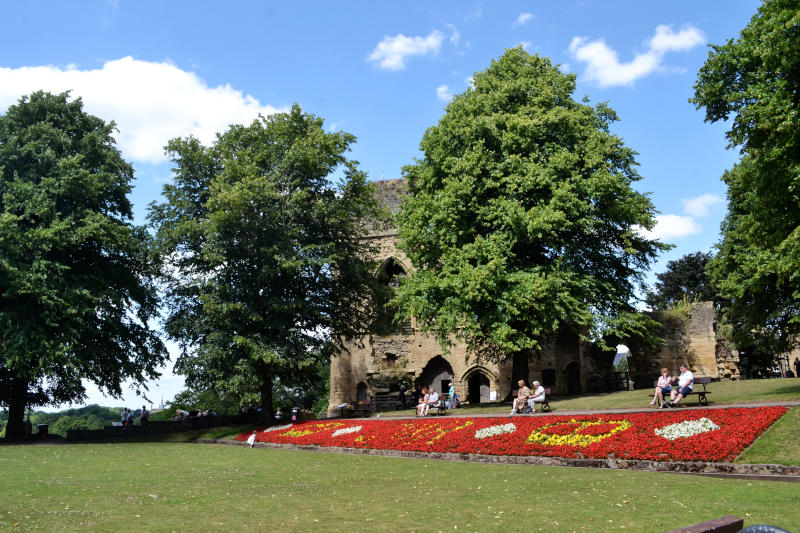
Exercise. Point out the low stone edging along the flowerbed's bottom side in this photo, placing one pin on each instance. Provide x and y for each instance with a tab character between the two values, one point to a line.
755	471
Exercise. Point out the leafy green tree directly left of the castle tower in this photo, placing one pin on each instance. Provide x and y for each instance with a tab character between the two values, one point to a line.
270	269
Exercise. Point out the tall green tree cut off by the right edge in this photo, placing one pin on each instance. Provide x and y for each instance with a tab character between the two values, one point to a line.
754	82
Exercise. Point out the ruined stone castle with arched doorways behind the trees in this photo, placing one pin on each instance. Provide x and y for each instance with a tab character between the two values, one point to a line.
380	363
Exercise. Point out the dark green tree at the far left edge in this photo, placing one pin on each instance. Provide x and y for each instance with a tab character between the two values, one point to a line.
75	275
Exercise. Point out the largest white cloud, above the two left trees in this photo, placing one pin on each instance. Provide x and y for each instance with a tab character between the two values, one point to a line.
150	102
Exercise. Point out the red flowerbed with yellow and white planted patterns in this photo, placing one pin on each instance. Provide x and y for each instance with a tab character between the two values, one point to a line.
690	435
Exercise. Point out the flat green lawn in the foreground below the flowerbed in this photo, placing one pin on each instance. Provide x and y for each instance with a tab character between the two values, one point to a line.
180	487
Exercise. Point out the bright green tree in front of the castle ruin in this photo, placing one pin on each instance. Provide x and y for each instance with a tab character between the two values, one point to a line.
521	217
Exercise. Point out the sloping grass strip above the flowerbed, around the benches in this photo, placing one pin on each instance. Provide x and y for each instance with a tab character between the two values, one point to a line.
723	392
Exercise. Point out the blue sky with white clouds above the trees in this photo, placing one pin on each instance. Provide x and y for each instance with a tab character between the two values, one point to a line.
382	71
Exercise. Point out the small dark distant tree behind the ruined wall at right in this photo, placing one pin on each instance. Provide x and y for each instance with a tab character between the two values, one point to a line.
684	278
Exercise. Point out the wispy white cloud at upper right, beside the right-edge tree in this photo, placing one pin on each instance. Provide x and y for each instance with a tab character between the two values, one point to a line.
604	67
